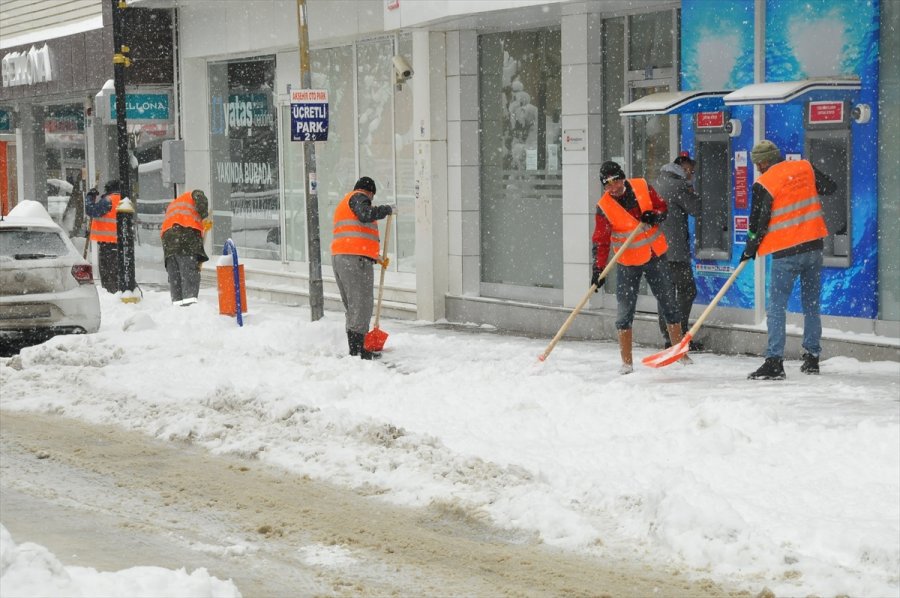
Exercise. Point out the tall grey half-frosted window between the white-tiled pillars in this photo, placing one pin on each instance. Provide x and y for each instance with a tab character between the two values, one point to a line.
521	175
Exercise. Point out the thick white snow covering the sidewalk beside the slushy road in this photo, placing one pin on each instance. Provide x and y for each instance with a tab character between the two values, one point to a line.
791	485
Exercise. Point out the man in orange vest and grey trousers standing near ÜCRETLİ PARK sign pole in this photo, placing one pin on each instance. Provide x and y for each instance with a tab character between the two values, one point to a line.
354	251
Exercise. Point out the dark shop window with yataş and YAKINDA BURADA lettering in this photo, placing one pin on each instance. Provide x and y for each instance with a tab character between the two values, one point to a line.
244	156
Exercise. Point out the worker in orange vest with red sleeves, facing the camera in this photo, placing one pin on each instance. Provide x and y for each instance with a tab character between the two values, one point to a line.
625	205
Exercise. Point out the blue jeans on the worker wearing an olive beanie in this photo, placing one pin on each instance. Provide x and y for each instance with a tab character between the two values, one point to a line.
808	266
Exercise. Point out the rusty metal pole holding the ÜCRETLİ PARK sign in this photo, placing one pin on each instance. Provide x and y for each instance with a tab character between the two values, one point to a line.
314	242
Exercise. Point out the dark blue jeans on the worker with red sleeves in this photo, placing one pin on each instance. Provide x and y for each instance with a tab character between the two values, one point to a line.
628	282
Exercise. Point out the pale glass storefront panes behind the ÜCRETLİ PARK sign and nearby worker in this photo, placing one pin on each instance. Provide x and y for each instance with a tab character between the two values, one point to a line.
379	147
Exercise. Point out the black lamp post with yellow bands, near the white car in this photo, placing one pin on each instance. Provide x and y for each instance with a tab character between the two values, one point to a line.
125	211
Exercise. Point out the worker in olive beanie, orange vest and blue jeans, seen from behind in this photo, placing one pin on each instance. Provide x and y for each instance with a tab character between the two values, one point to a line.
786	220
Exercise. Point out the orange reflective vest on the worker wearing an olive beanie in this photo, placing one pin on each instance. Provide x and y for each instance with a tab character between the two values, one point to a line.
796	210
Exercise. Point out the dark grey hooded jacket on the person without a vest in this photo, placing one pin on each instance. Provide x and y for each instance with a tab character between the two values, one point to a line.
673	186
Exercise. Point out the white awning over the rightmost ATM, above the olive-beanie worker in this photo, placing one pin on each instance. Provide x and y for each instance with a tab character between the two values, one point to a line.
786	92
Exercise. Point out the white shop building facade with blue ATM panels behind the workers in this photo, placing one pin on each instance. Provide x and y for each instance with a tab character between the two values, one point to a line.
491	149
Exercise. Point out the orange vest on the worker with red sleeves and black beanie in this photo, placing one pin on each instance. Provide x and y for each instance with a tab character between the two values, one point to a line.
623	223
